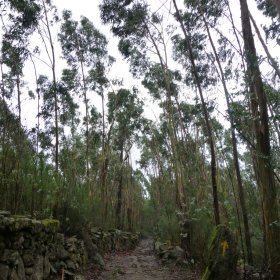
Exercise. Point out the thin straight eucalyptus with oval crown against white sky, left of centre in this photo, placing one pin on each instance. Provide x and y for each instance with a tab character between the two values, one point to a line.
85	50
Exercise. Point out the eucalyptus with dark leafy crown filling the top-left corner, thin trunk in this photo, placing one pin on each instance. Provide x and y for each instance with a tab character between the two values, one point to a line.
18	22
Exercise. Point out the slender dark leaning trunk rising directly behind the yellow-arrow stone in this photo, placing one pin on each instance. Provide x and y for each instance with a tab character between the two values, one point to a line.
206	116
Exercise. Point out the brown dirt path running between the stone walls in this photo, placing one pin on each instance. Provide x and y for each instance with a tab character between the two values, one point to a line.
141	264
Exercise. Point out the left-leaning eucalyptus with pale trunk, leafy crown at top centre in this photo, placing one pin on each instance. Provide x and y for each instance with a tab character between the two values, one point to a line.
141	34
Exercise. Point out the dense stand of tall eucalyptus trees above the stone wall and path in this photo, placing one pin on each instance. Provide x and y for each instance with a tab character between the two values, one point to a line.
209	156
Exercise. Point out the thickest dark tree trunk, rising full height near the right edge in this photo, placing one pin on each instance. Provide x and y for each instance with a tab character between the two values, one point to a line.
265	170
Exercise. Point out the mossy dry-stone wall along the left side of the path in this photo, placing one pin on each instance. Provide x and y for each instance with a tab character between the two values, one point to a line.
32	249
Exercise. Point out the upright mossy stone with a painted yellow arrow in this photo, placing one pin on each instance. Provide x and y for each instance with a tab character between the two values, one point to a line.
222	255
